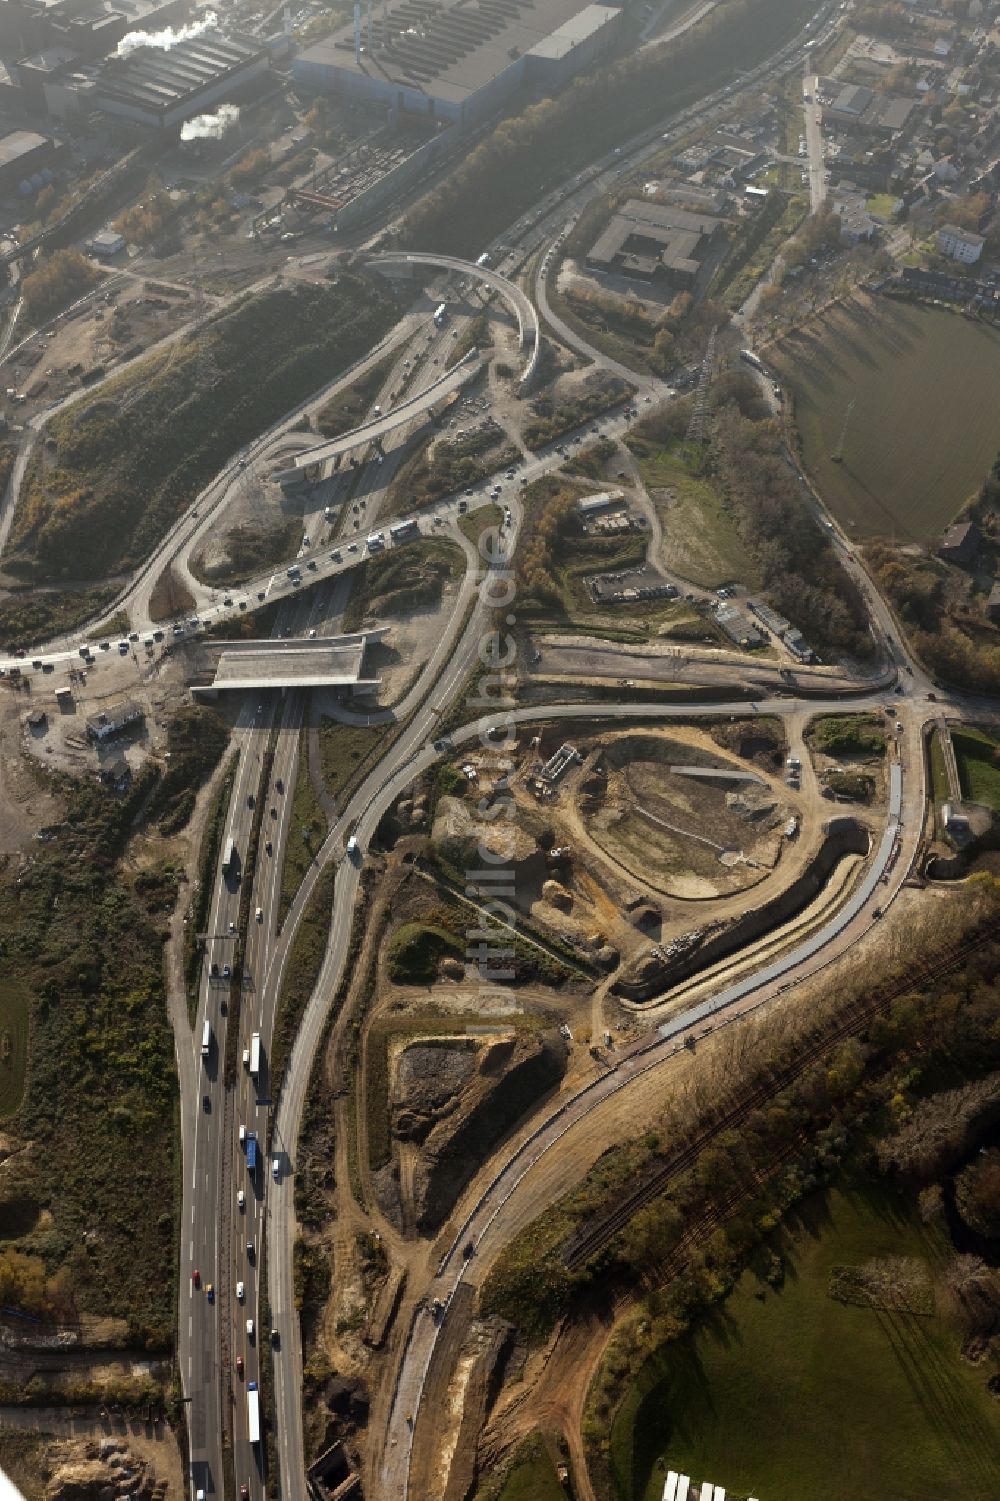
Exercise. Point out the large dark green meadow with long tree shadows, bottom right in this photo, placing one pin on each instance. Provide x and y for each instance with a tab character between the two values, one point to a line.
791	1394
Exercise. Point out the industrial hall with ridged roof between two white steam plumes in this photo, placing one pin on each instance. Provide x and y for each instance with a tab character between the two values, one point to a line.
163	88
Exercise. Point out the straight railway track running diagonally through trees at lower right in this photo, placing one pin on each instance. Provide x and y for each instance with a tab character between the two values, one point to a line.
851	1023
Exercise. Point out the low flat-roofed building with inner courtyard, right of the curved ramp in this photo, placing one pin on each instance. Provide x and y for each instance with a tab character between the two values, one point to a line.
655	242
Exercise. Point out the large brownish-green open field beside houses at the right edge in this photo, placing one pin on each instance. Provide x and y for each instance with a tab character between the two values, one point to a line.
917	376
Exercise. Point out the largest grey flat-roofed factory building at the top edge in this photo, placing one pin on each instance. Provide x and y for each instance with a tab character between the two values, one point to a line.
457	62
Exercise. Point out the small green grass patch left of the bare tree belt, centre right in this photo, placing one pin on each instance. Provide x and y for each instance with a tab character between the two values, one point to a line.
700	540
